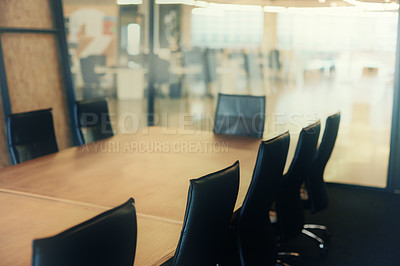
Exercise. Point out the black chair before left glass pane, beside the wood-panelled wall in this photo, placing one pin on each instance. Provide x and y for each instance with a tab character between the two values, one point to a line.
94	120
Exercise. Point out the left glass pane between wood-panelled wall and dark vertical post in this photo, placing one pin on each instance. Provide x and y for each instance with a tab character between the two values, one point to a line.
107	47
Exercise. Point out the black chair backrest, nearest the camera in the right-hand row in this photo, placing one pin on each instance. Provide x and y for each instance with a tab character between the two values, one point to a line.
209	208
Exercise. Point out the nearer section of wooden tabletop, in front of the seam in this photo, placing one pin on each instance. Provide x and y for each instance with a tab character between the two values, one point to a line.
27	217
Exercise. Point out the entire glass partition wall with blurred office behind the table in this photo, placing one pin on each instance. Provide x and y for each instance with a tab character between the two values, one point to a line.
308	62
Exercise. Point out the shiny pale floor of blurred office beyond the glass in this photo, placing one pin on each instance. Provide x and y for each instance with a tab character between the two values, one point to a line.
362	149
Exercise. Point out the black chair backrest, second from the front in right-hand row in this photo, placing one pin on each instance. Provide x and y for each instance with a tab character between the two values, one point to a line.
256	240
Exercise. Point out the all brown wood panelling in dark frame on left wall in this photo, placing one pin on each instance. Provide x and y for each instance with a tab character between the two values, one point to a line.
33	68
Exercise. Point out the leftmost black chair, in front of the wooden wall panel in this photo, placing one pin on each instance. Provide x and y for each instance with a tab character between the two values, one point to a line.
31	135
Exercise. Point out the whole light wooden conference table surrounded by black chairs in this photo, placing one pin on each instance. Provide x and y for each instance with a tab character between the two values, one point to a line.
46	195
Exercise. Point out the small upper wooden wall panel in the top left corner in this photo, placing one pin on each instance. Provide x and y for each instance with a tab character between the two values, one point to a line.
26	13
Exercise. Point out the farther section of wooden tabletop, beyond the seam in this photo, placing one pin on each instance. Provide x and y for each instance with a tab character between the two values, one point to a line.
153	167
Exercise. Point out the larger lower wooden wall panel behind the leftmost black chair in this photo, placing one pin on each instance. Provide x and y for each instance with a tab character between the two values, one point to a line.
35	80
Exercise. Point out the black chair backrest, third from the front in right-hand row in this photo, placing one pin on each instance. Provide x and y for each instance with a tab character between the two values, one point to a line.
289	206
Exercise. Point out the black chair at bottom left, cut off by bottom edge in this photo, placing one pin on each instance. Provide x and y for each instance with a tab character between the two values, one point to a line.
107	239
